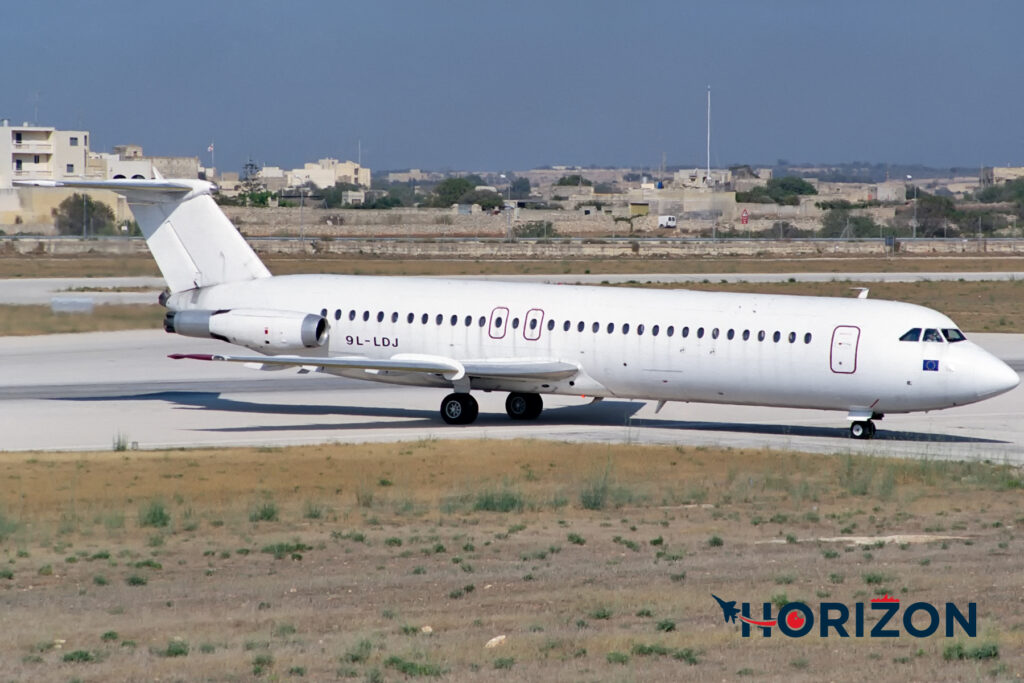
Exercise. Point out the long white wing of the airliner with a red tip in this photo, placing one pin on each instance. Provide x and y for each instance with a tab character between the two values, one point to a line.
412	363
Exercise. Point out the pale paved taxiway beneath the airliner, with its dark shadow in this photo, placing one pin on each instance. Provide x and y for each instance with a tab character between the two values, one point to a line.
87	392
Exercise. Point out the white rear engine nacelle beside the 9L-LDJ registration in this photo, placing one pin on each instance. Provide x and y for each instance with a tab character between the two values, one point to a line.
268	331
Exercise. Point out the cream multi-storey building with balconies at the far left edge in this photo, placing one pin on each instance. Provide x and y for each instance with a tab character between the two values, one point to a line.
41	153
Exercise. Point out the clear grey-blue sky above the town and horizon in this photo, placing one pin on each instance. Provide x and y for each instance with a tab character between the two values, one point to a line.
499	86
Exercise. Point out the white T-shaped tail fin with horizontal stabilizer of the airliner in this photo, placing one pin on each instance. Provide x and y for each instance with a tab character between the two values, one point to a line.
194	243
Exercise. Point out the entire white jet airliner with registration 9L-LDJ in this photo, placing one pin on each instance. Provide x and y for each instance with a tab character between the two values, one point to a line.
865	357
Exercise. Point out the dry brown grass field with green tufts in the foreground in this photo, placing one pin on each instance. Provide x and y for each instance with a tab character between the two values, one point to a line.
350	579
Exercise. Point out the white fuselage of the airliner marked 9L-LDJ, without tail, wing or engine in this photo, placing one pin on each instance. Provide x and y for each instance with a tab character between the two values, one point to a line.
793	352
